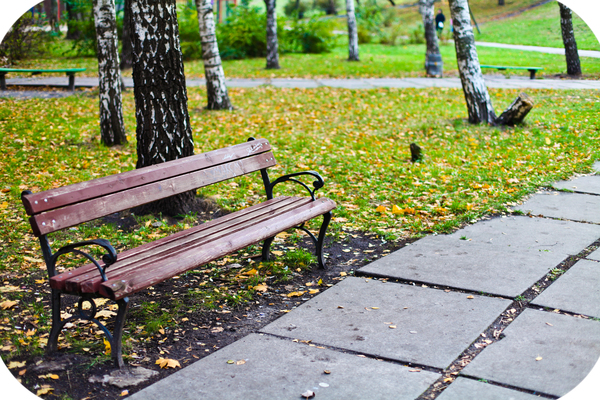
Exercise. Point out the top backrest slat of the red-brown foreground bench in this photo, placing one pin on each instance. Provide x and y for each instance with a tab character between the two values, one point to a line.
36	203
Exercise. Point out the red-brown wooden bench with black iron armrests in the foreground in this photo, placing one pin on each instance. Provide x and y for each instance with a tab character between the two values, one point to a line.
117	276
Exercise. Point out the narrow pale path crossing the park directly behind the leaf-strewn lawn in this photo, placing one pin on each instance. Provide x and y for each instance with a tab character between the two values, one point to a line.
516	81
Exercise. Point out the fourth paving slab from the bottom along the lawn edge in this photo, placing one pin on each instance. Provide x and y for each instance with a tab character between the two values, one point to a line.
573	206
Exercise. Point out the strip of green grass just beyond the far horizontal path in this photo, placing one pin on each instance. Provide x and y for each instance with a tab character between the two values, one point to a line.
377	61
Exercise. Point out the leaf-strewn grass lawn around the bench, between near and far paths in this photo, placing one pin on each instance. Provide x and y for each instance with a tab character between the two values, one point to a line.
358	140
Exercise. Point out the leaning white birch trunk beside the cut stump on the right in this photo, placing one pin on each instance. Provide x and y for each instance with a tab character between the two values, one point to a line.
479	104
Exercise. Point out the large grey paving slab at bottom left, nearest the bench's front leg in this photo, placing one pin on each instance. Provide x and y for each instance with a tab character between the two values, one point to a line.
275	368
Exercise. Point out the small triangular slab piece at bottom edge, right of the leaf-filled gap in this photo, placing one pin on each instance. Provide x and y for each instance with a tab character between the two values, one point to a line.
469	389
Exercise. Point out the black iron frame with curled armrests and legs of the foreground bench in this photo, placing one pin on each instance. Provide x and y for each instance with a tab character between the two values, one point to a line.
115	338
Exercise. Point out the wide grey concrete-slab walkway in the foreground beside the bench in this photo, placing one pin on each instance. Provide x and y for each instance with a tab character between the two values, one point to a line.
507	308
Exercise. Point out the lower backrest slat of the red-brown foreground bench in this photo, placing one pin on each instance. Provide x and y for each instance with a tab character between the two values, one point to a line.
89	210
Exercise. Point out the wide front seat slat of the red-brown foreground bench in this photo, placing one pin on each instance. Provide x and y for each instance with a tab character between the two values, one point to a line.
137	280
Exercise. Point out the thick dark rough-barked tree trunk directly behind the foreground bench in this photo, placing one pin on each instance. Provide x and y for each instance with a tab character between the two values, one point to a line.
163	124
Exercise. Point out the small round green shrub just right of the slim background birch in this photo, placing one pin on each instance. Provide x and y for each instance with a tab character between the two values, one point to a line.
312	36
